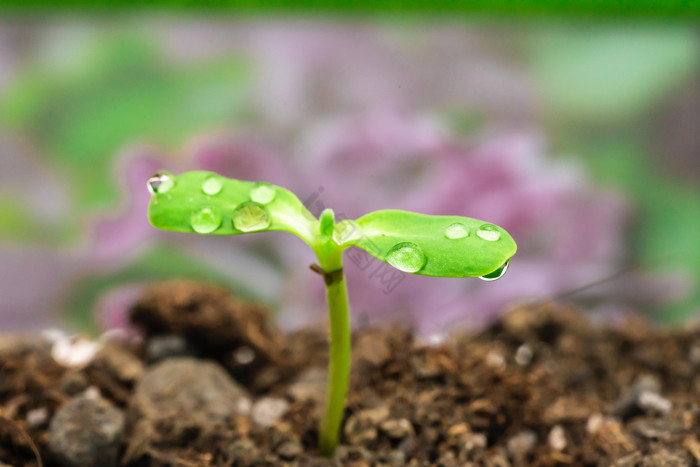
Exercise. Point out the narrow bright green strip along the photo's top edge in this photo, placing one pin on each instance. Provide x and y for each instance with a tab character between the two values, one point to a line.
616	8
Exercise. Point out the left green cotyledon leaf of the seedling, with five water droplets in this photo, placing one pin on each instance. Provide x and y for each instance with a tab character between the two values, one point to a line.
207	203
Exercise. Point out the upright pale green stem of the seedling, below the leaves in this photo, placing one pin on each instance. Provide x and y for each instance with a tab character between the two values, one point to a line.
339	364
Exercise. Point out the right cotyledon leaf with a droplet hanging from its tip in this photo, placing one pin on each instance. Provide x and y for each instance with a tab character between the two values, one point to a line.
441	246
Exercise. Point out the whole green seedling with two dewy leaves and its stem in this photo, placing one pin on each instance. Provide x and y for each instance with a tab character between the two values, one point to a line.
440	246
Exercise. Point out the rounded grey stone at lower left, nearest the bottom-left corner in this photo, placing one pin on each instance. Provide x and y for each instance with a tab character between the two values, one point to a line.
85	431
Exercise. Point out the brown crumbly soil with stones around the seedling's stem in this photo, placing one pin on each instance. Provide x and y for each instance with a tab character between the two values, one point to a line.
214	383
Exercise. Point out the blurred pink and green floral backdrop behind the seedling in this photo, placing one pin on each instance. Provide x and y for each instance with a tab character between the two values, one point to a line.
581	139
